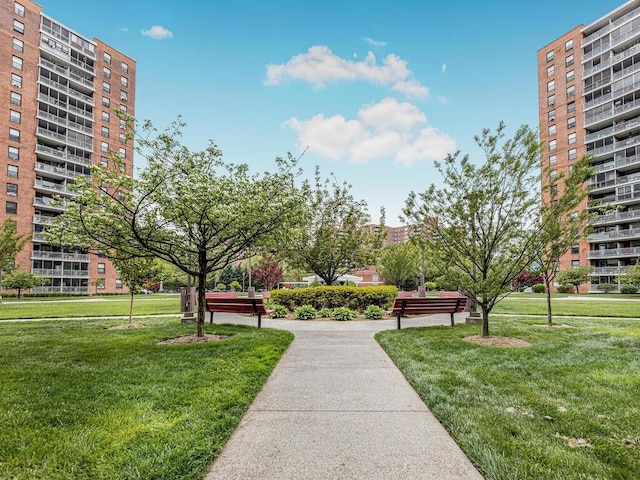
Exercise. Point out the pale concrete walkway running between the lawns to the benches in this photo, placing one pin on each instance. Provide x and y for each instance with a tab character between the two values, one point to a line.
336	407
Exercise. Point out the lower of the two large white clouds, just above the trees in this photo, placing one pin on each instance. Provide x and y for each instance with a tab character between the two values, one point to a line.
388	129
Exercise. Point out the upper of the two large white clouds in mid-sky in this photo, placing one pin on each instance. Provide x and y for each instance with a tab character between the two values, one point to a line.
319	66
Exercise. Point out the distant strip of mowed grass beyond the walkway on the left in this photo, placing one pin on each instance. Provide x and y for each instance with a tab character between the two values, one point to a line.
91	307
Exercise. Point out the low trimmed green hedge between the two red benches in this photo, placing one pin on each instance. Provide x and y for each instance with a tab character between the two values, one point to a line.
356	298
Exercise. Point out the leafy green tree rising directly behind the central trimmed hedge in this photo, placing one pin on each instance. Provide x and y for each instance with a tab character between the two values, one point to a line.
336	237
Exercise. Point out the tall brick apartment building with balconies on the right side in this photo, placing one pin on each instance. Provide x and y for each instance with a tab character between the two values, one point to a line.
589	103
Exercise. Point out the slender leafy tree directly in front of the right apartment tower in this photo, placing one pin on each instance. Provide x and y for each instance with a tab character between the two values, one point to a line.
561	225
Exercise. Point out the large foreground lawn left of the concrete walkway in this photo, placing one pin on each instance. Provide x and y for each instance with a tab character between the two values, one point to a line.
80	401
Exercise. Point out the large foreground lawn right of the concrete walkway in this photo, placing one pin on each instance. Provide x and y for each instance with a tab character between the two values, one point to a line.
515	411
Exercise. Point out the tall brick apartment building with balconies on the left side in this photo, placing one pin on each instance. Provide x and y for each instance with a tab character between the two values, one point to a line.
57	92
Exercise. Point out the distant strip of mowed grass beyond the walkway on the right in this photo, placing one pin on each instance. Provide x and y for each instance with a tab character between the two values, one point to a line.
595	307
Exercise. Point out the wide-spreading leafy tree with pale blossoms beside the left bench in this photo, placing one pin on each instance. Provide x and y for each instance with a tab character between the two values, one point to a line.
190	209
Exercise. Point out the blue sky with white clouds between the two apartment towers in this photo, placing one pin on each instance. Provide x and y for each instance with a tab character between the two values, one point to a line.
376	91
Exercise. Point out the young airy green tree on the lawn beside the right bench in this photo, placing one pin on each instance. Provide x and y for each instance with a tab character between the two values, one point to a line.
480	231
